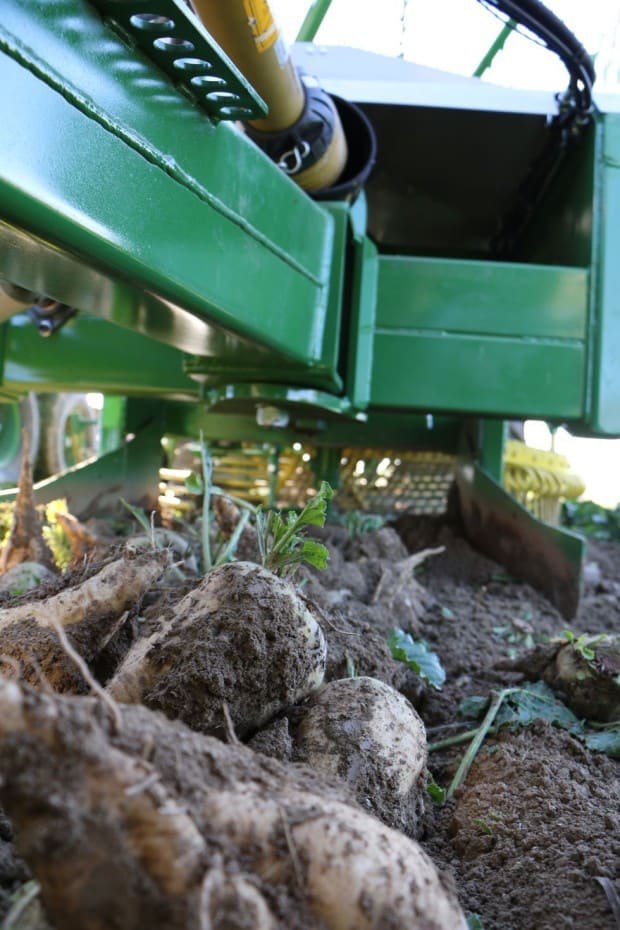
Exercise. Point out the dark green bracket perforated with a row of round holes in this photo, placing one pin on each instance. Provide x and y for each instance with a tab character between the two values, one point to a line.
169	34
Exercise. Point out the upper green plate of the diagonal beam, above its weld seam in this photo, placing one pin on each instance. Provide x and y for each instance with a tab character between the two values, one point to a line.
67	46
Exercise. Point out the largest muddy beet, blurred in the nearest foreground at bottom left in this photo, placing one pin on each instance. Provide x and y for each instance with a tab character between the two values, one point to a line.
199	835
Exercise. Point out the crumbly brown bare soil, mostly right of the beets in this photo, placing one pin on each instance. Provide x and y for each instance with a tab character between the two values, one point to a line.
537	823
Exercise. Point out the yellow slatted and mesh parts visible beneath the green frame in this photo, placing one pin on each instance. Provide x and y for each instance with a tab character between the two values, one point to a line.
378	480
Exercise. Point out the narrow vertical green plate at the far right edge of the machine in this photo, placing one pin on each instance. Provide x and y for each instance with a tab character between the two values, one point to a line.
605	416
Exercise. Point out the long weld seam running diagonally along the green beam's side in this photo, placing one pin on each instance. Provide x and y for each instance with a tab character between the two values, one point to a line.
11	45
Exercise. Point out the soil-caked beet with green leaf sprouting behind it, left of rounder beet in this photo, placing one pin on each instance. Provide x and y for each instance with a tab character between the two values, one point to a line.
242	640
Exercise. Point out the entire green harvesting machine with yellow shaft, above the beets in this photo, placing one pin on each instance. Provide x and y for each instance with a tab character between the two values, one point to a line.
352	257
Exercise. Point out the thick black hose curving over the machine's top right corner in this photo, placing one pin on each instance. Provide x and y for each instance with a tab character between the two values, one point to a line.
558	38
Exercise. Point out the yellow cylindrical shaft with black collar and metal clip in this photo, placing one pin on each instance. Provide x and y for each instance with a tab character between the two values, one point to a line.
302	131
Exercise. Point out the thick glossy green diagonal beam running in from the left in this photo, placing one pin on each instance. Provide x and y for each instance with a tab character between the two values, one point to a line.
132	200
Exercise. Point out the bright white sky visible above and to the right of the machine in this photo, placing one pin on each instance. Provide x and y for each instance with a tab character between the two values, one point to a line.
453	35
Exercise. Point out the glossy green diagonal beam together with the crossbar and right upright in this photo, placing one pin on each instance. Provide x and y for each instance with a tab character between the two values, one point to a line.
222	277
